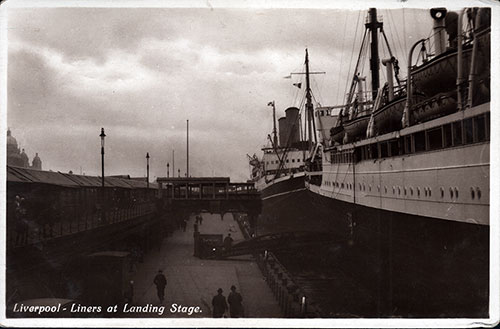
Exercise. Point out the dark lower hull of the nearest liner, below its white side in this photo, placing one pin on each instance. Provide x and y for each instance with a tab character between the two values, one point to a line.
393	264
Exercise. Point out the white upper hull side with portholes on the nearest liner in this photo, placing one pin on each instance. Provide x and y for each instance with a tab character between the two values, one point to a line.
449	183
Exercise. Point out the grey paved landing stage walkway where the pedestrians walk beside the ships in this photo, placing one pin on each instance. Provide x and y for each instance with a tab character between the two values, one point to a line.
193	281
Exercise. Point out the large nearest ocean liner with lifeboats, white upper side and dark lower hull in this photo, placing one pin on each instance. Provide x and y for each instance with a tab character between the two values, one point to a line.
401	171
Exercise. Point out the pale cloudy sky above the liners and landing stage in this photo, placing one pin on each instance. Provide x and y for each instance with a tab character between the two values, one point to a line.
140	73
